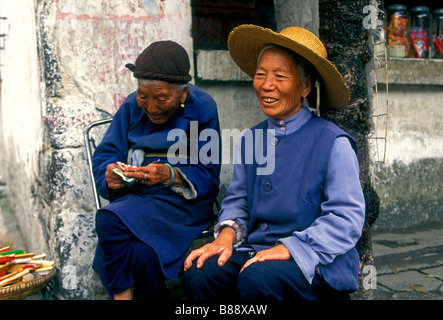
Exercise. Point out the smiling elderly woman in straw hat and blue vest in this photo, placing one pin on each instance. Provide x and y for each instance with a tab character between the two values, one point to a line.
290	234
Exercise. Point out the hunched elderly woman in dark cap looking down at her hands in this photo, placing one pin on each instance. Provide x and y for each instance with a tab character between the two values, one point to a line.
160	201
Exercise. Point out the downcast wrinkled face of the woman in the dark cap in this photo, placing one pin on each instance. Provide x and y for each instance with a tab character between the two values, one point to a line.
159	100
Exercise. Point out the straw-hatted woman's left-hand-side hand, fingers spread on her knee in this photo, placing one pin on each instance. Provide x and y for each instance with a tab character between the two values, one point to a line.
221	246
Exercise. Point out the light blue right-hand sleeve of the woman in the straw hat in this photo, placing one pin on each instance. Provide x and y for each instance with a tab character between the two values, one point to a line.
339	227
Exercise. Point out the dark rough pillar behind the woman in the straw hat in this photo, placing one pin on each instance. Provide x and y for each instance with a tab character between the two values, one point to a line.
346	40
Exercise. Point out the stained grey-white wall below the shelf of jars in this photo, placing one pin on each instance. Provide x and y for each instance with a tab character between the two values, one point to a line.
409	180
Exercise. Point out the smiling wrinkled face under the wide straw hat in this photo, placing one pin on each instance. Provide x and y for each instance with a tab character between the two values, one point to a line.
277	84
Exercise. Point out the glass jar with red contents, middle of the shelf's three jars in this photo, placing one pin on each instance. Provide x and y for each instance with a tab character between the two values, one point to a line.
420	32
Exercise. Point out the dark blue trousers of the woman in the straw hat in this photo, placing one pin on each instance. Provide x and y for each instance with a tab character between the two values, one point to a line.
267	280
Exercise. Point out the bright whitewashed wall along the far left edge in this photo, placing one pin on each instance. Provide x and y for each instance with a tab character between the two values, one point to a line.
21	111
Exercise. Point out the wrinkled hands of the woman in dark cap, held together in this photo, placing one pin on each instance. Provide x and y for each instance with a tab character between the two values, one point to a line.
150	175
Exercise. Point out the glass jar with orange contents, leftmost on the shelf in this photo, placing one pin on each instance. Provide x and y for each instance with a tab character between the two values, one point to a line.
396	31
